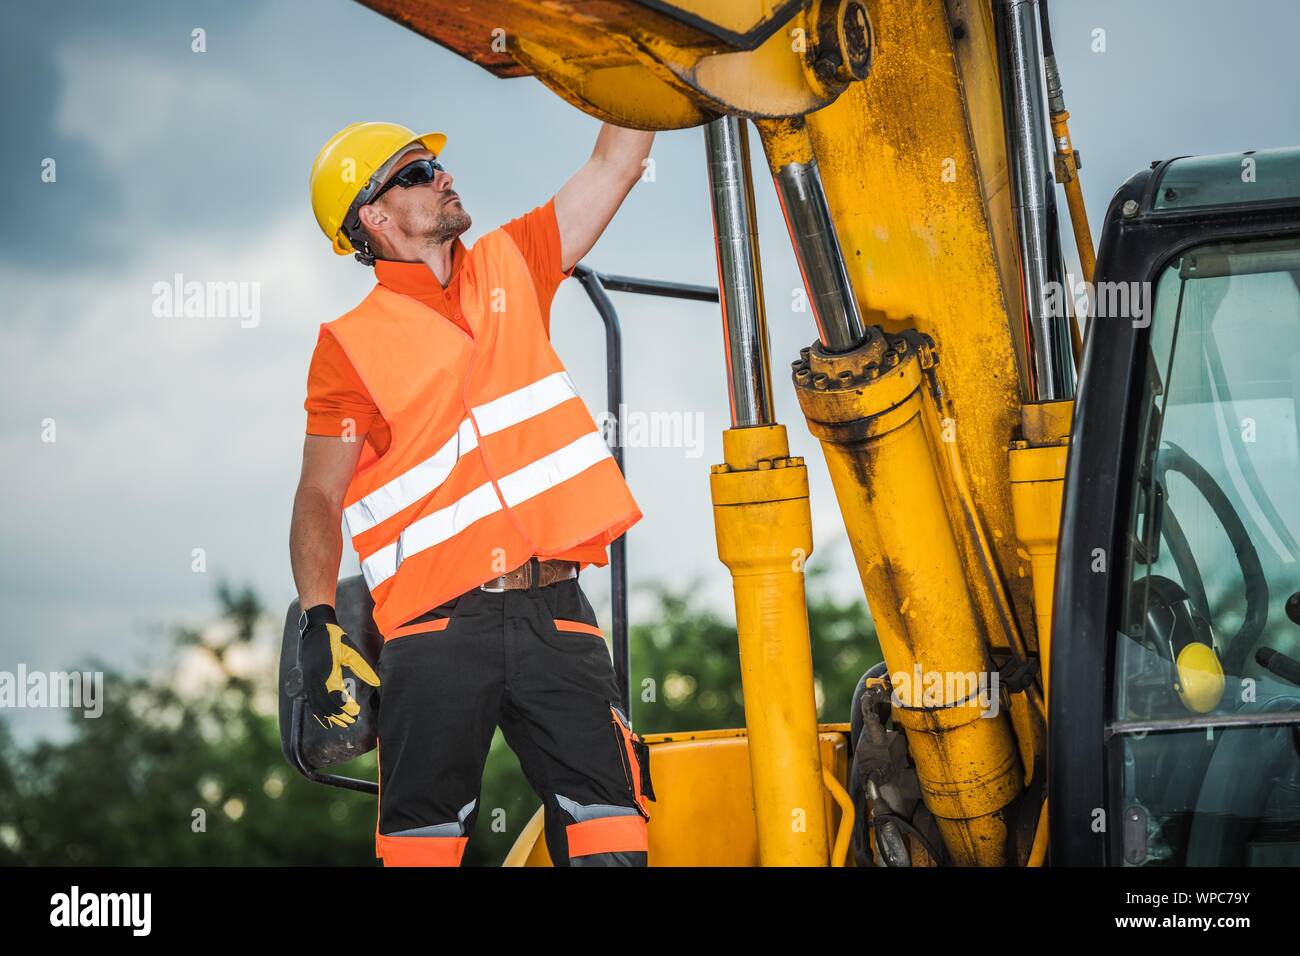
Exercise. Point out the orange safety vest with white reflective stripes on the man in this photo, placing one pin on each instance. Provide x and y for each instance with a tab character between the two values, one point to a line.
495	457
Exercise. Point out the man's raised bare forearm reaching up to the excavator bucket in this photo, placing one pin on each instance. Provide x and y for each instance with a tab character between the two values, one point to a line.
587	204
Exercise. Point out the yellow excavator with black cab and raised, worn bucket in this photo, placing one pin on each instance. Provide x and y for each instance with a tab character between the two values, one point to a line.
1073	503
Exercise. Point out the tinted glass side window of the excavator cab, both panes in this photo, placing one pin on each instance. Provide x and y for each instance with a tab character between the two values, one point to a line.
1206	704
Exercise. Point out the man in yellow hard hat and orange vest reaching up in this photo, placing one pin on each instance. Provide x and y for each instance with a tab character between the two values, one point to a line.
445	432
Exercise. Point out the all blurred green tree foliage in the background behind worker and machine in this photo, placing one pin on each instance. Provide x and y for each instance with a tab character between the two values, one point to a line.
196	776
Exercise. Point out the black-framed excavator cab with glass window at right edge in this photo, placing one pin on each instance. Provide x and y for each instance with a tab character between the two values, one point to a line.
1185	578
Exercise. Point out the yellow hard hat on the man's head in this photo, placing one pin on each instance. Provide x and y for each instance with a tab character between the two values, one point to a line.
353	166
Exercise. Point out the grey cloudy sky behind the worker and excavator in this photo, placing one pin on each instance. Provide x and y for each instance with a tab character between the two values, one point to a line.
174	434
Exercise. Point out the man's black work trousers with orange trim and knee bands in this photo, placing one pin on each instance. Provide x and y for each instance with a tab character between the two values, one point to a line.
534	663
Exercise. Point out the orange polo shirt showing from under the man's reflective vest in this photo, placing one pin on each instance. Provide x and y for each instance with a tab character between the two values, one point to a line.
336	395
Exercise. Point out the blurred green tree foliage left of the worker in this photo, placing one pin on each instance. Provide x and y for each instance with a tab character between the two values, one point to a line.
171	778
